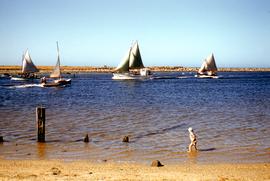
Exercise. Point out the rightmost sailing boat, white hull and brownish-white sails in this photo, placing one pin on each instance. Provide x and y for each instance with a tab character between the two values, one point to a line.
208	68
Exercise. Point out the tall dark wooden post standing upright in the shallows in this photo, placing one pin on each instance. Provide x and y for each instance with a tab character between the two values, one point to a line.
40	119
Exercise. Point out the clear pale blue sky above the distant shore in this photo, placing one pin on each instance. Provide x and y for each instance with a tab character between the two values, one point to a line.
170	32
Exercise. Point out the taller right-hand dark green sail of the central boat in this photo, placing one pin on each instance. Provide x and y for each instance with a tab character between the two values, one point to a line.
135	60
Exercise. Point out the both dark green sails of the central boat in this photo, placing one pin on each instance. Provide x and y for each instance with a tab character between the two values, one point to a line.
132	60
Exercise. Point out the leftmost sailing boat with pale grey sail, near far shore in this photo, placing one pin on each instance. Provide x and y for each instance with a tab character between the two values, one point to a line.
28	68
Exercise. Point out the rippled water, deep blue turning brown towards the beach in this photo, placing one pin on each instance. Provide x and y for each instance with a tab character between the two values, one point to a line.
230	115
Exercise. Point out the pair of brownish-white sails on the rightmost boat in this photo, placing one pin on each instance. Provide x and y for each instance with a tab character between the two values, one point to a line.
209	66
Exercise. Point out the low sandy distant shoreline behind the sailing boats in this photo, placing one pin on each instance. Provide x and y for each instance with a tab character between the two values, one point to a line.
14	69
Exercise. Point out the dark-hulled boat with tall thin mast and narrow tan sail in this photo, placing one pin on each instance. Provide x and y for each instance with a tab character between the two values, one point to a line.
56	73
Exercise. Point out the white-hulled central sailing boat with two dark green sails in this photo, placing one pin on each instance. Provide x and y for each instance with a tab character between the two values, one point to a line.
129	66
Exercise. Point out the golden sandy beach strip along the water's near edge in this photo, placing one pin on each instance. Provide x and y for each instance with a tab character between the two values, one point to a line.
84	170
